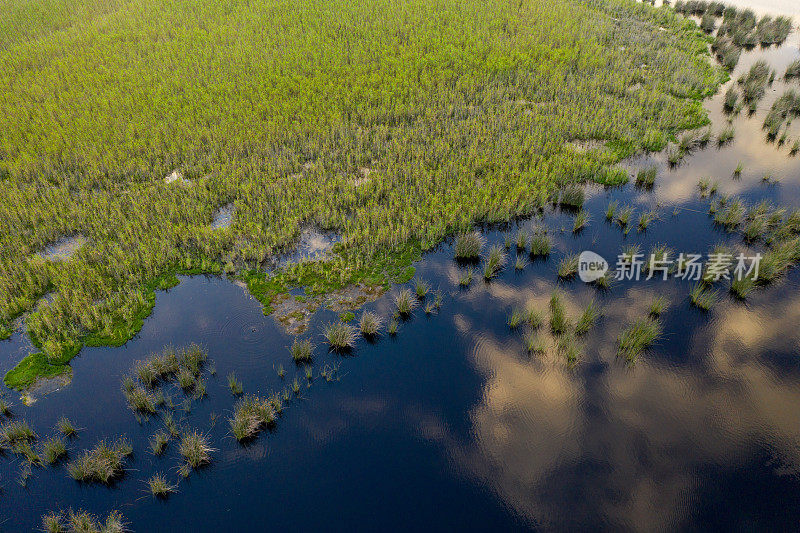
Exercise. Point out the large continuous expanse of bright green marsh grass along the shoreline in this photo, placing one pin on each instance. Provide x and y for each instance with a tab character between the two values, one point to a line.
288	107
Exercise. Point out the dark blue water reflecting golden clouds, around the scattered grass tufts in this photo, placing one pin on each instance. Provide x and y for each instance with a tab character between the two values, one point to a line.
451	424
